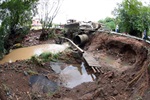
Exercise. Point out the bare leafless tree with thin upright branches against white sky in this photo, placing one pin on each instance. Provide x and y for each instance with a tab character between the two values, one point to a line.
47	11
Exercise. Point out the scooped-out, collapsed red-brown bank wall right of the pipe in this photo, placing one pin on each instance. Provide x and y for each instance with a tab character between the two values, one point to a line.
127	49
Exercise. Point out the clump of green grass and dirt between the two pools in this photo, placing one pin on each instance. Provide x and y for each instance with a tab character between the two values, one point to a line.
66	56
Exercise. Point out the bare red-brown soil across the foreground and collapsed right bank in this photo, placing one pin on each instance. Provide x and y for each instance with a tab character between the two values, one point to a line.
117	82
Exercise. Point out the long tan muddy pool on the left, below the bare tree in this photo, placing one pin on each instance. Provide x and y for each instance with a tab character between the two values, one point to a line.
27	52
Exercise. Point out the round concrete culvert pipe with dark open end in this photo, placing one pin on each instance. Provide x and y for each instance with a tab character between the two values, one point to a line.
81	39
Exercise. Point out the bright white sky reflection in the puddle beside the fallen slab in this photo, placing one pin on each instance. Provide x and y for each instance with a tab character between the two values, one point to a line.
72	76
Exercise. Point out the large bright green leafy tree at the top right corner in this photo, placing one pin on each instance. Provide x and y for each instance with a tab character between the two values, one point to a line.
132	17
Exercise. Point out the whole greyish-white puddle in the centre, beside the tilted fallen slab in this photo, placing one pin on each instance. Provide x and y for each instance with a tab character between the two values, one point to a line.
72	75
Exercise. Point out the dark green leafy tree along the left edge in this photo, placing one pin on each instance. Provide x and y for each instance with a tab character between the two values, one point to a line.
16	16
